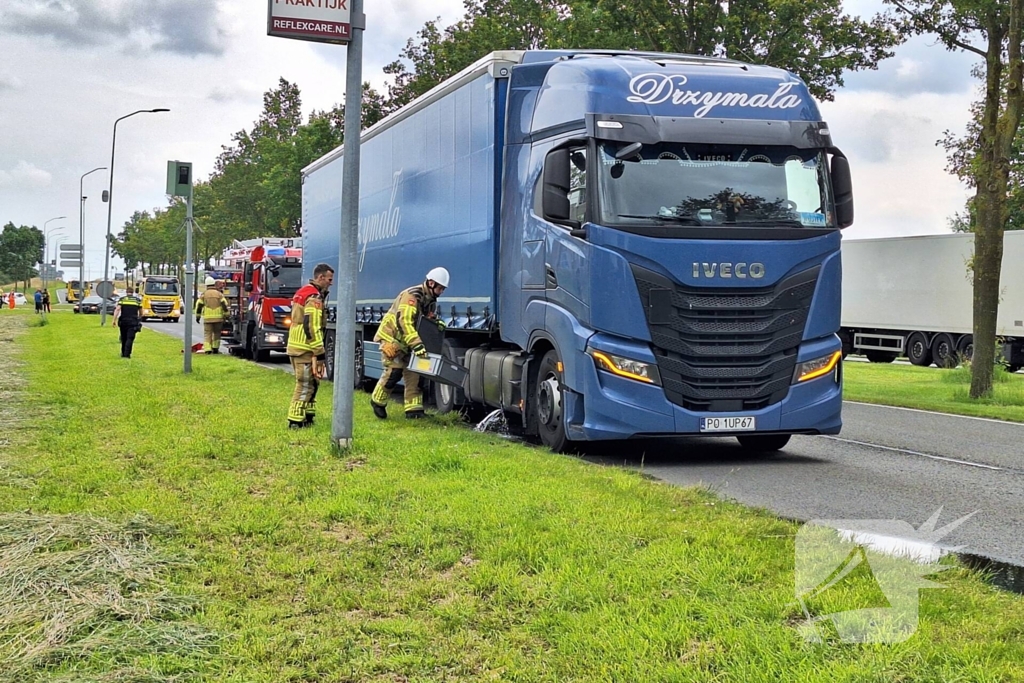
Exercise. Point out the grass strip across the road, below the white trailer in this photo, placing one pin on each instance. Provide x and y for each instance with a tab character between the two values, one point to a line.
933	390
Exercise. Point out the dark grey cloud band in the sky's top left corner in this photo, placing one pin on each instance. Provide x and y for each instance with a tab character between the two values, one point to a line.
182	27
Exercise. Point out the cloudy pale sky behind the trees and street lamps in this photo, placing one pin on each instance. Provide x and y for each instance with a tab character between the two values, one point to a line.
71	68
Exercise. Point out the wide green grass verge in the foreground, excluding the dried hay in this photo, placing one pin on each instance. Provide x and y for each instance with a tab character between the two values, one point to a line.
428	553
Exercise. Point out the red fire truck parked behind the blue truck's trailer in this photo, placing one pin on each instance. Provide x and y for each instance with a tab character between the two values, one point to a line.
266	274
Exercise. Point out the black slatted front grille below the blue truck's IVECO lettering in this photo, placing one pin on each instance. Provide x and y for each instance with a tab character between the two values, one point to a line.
726	350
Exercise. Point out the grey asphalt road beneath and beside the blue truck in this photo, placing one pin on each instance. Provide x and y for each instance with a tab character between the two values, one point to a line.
888	464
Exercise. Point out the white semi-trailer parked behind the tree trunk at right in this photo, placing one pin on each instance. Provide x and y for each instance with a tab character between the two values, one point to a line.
914	297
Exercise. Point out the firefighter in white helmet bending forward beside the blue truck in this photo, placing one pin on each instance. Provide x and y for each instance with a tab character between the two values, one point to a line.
399	341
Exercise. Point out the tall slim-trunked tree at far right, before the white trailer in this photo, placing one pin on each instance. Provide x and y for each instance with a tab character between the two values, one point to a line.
996	26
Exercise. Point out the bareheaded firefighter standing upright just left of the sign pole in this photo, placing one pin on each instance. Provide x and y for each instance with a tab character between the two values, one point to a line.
306	347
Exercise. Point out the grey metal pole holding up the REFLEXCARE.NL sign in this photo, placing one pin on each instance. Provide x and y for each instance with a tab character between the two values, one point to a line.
345	349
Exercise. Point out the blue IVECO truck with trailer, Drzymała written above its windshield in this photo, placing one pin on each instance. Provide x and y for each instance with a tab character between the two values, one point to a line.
641	244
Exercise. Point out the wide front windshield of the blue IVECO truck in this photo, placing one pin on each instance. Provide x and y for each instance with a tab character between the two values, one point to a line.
701	185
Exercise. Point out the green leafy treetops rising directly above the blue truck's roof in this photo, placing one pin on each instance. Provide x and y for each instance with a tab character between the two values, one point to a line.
813	38
